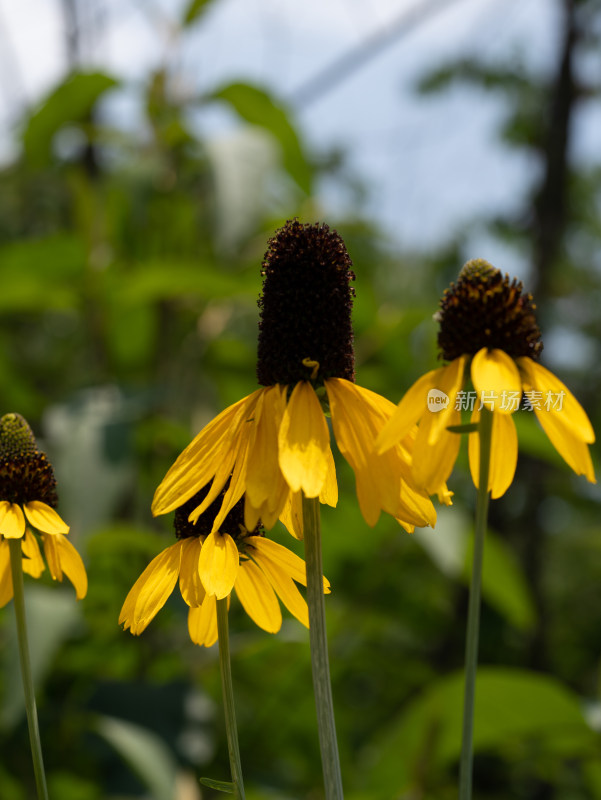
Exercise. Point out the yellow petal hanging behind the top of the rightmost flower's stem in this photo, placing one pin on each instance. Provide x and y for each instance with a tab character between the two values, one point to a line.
503	453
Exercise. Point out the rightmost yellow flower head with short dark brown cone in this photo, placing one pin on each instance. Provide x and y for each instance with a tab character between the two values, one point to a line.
487	319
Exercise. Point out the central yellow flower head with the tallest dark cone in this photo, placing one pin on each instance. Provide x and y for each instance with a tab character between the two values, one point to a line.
275	443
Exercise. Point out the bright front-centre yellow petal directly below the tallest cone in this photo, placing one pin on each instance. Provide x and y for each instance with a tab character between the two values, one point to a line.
304	442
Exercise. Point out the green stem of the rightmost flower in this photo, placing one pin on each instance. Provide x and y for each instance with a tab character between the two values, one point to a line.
473	615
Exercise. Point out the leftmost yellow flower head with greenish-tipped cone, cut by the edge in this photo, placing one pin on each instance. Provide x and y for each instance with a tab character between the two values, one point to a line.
28	500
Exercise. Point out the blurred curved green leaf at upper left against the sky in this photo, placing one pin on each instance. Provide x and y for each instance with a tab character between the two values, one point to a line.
71	102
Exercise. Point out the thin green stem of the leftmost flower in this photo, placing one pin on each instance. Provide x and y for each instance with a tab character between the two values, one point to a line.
30	707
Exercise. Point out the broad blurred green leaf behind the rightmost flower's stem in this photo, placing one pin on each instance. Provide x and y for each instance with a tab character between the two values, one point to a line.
512	706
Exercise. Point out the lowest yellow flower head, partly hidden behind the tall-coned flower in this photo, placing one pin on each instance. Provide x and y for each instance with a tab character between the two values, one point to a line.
209	565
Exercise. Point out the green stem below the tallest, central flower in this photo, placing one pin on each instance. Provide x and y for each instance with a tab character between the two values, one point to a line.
319	651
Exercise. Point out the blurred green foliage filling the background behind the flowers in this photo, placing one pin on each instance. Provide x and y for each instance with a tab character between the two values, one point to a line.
130	269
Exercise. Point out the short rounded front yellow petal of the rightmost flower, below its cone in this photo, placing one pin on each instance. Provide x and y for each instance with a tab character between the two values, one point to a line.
496	380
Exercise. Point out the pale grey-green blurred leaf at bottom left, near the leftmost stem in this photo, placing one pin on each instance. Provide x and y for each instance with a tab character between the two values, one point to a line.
145	752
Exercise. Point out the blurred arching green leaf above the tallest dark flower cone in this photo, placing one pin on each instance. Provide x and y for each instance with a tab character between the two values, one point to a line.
258	107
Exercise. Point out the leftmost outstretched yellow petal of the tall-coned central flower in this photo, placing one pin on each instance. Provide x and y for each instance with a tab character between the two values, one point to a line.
196	465
